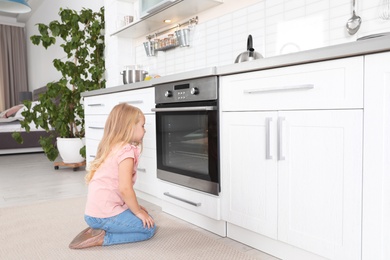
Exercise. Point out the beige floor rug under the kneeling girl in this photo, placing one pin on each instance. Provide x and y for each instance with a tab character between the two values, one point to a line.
44	230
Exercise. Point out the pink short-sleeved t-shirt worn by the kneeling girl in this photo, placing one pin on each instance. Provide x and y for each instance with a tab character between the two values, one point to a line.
104	199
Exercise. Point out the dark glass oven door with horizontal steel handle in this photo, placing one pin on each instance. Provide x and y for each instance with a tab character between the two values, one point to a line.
187	140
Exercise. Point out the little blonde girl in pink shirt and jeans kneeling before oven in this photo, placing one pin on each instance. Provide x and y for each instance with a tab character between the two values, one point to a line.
112	211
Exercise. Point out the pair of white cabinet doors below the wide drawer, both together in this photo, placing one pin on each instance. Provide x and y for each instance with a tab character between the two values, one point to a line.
296	176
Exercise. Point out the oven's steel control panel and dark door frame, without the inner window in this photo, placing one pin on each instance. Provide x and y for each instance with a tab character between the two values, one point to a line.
198	97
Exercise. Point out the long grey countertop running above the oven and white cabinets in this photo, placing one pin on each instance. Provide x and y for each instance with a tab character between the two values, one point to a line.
362	47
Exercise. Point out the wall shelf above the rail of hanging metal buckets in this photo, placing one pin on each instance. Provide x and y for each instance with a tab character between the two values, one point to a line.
177	12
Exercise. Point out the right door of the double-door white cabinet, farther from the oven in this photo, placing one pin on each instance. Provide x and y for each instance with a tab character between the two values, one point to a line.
320	182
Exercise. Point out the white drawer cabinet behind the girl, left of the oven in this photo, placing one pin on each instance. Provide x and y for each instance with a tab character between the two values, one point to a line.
97	109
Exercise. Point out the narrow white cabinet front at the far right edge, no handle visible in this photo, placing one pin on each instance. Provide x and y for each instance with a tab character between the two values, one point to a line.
376	175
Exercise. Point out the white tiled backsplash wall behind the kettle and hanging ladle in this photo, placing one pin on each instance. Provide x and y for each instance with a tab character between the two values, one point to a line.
277	27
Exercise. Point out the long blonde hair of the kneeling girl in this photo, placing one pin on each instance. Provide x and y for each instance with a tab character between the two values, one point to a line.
118	131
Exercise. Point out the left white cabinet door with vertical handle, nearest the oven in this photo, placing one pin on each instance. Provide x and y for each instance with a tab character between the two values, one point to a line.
249	171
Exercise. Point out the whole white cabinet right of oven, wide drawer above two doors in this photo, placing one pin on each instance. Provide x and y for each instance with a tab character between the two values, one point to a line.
291	159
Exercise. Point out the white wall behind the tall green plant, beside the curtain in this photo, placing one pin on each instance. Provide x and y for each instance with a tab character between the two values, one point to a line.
40	67
